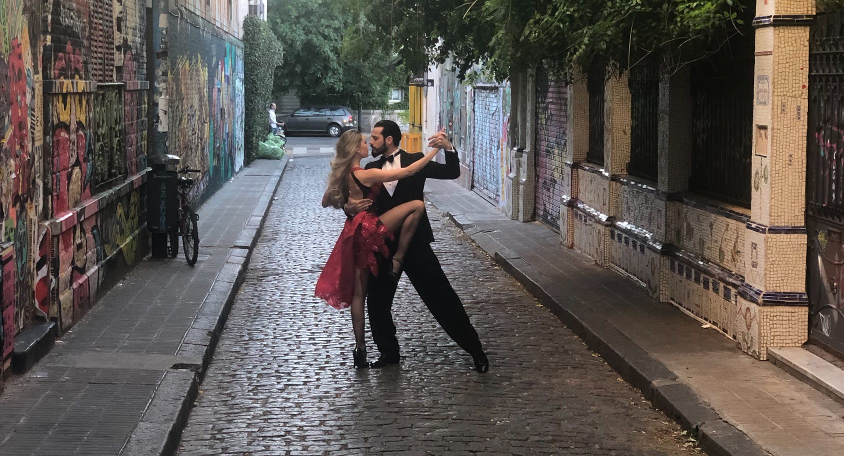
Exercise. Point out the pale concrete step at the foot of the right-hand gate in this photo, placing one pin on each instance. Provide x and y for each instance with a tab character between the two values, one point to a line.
810	369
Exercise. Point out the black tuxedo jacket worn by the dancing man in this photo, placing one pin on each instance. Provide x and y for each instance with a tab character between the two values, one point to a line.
411	188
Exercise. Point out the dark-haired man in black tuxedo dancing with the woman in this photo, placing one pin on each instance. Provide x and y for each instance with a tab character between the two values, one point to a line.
420	263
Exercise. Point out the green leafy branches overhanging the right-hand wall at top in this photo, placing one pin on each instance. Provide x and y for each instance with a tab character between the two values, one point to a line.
564	34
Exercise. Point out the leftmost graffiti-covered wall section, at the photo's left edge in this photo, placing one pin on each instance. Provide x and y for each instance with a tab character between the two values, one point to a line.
21	158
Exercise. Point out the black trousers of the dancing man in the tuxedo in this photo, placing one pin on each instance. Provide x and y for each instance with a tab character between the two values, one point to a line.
426	274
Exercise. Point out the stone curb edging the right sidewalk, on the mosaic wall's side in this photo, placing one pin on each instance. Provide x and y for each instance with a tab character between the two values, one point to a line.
654	379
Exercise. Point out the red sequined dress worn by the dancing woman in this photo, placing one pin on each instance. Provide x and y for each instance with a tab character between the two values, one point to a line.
362	239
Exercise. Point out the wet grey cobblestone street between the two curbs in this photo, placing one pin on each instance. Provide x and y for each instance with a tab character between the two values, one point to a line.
282	381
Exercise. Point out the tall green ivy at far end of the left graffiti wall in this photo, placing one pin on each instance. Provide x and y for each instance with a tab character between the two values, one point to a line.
262	53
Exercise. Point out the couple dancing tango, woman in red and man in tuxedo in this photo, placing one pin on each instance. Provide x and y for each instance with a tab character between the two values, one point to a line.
387	232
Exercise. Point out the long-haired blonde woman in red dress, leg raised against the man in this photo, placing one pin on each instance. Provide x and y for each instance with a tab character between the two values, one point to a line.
344	278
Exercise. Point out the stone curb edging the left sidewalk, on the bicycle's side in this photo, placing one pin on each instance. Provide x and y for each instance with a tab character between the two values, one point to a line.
160	429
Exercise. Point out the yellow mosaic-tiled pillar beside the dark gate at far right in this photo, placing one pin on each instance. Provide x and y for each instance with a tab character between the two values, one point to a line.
772	305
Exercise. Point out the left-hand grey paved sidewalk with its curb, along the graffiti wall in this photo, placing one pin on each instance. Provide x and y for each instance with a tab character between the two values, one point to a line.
122	381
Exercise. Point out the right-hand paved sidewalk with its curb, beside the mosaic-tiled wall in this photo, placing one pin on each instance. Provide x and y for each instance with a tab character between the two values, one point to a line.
739	406
